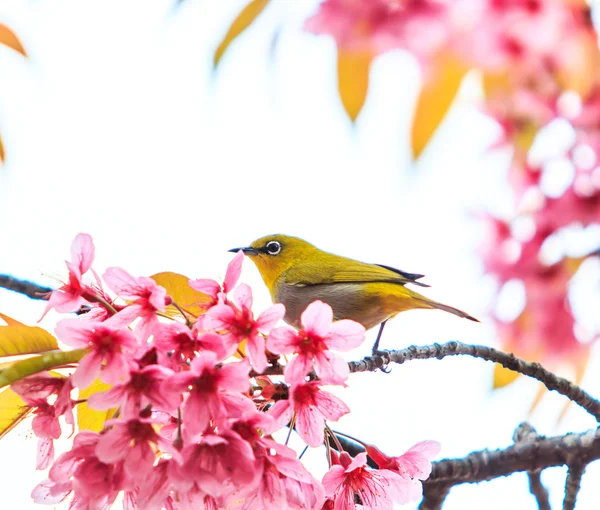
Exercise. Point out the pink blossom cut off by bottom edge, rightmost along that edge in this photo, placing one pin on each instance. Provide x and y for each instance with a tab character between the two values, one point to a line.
352	480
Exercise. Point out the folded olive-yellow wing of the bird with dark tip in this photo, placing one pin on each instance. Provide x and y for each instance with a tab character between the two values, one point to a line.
328	270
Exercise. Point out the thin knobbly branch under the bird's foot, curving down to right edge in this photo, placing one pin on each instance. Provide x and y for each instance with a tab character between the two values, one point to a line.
510	361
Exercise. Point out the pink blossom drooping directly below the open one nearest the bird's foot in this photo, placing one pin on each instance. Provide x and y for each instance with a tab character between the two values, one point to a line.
312	407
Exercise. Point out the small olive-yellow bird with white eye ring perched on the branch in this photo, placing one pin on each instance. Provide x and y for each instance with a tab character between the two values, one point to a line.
298	273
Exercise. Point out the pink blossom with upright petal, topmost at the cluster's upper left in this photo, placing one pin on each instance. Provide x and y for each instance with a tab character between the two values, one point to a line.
70	296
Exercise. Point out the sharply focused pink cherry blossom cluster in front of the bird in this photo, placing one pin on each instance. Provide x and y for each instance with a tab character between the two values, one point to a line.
196	414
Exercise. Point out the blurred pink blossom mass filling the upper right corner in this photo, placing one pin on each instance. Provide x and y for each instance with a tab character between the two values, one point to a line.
540	62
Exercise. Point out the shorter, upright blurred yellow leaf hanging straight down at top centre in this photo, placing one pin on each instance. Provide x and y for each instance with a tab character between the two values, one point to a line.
353	80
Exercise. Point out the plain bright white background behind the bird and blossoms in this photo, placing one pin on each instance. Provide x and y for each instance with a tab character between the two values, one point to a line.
118	127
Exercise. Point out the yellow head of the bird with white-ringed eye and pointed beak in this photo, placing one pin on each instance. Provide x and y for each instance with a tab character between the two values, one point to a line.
275	254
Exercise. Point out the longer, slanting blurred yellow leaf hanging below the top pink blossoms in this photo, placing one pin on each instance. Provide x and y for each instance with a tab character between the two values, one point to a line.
438	93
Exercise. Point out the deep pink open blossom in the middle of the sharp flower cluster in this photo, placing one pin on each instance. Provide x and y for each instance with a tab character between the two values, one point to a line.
215	391
